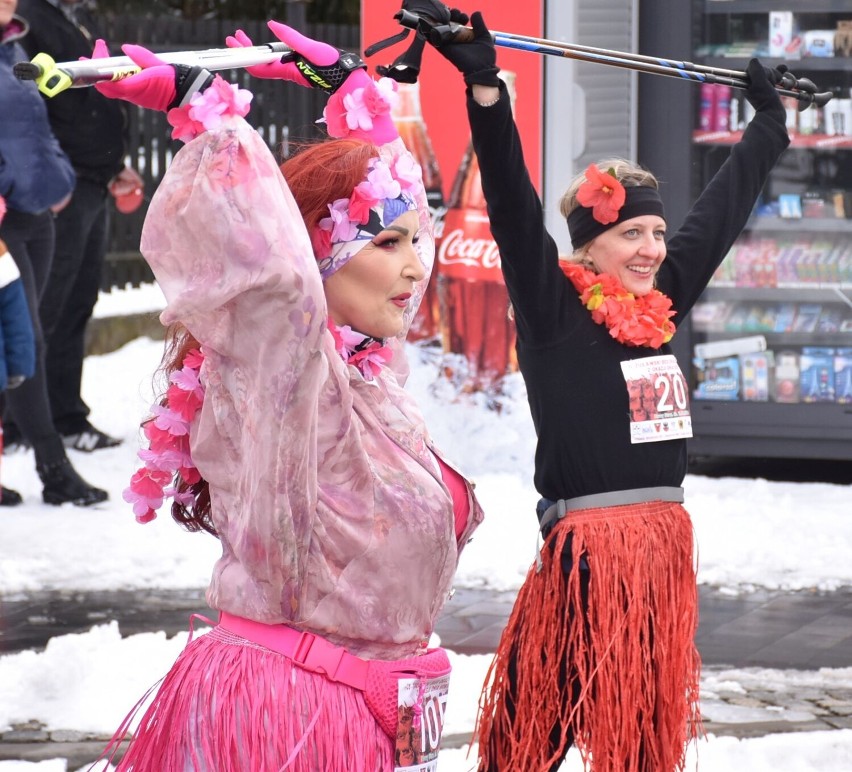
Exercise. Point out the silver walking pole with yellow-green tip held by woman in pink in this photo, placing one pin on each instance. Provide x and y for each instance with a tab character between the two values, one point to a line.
54	77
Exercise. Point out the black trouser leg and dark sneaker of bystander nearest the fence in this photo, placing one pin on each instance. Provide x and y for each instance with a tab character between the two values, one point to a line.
66	307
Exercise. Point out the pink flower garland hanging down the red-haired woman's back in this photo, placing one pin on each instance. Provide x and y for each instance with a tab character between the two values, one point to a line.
168	437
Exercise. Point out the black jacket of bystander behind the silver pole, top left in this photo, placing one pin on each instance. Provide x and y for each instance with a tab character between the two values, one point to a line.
90	127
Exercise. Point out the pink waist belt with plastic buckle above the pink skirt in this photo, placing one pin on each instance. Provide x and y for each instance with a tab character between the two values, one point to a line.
308	651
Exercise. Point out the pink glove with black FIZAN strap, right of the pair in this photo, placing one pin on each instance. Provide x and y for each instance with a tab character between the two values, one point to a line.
313	64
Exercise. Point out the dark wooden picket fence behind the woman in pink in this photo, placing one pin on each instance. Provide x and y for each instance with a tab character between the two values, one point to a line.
280	111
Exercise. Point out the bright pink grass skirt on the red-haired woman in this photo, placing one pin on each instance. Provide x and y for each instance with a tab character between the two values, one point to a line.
229	705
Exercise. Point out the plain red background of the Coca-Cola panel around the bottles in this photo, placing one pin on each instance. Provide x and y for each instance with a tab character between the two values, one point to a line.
442	88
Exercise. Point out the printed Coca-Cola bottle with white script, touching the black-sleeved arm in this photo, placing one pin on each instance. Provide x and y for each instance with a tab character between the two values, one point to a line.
474	303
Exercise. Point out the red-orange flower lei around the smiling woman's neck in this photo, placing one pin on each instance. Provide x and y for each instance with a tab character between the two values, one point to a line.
642	321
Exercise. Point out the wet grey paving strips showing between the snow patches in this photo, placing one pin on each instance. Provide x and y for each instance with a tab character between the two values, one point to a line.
773	661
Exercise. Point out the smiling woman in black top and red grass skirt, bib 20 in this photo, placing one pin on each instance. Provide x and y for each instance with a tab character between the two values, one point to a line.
599	648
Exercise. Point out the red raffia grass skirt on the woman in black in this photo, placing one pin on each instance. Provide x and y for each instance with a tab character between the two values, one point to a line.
631	657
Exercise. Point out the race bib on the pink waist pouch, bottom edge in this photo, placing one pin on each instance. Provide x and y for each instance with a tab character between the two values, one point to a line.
418	742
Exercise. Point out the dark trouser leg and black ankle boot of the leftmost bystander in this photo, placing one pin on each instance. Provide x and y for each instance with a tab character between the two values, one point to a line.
30	241
